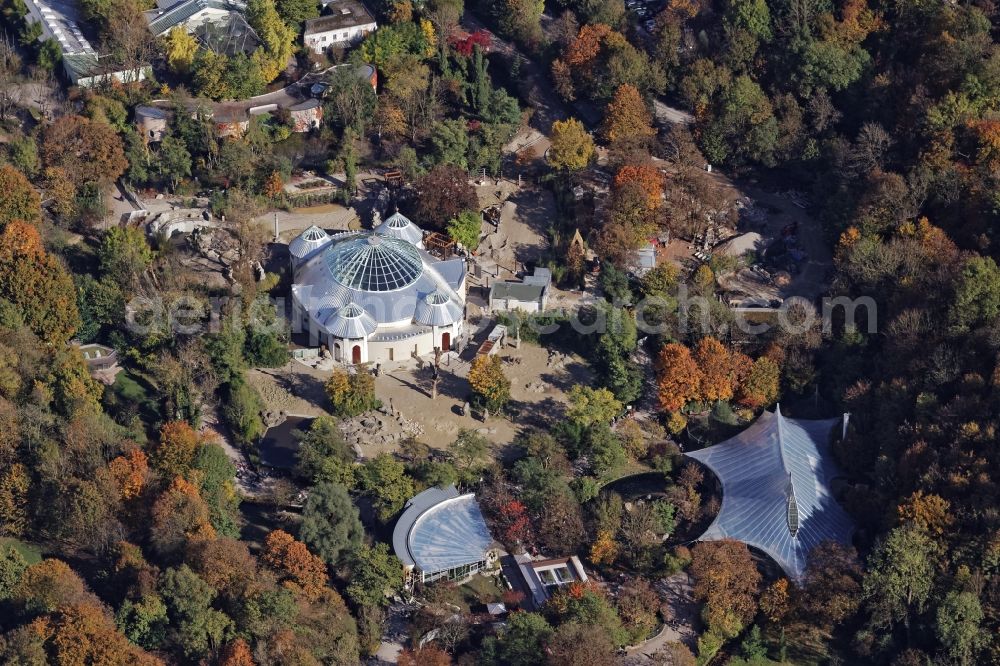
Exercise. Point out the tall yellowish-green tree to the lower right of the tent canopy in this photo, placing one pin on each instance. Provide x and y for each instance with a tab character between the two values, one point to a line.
900	576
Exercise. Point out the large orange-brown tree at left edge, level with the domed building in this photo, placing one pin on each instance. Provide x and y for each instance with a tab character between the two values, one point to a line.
37	285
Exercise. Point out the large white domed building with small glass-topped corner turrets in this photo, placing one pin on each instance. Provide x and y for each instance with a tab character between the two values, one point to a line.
376	297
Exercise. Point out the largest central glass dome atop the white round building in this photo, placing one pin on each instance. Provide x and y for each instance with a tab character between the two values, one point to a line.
373	262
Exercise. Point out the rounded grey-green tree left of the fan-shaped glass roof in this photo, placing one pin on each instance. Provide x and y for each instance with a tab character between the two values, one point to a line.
330	524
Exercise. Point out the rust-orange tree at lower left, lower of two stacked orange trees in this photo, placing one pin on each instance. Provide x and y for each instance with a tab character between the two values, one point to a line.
179	514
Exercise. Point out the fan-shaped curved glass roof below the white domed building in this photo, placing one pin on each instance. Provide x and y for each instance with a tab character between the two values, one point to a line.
441	530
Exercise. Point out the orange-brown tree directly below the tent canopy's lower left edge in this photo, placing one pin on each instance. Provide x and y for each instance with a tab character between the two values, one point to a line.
727	580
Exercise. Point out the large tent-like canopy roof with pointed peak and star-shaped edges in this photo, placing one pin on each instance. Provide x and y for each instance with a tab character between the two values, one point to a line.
776	493
